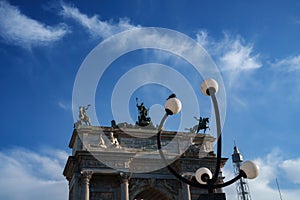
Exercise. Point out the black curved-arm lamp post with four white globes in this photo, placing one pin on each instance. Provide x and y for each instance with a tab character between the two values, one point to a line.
205	179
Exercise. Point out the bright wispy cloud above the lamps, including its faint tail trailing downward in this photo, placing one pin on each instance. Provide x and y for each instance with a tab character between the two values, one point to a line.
236	60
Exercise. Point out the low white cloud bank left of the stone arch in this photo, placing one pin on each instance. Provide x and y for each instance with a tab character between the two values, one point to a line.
30	175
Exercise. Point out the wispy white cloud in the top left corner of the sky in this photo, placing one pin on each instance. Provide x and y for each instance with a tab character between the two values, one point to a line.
18	29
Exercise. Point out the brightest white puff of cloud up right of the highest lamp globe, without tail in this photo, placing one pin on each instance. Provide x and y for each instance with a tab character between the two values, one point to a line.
232	53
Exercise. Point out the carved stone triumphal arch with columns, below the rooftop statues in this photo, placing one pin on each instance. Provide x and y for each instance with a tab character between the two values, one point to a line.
126	172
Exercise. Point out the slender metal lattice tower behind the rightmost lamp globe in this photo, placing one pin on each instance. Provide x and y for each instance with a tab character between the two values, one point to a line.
242	187
